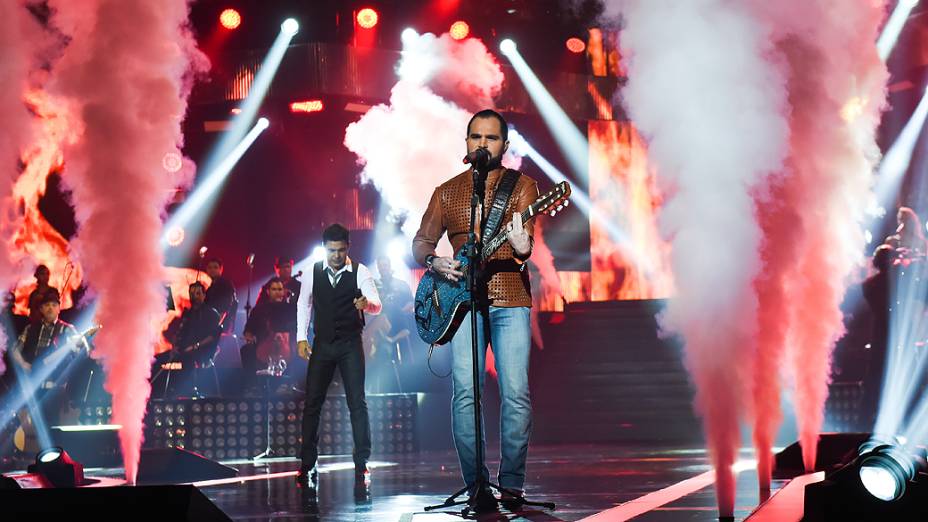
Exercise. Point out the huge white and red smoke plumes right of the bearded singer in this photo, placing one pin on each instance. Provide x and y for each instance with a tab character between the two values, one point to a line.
767	177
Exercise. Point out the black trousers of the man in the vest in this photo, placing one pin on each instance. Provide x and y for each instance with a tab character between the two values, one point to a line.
348	356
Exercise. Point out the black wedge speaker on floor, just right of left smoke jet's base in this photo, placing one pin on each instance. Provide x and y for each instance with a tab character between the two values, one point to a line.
175	466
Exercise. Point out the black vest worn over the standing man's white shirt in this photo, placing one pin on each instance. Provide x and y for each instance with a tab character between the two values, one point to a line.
334	314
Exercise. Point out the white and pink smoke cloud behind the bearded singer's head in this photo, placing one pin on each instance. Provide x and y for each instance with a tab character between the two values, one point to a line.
416	142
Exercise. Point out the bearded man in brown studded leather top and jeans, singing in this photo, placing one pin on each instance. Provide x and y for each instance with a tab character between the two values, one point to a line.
504	305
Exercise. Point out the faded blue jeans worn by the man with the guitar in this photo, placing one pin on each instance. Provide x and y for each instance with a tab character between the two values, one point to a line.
511	339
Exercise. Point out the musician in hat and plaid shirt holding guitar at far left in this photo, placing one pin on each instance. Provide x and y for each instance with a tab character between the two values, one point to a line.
46	342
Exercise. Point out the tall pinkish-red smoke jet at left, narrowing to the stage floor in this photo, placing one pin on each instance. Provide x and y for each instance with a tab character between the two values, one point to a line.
125	70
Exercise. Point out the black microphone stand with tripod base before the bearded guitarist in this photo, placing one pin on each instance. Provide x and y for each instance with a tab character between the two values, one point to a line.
473	250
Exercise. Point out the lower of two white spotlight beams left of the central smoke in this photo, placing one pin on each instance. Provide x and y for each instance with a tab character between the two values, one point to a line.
206	190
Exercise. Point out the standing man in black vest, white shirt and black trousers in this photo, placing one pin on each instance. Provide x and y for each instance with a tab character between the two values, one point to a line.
338	291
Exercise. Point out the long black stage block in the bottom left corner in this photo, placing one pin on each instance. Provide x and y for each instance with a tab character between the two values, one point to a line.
181	502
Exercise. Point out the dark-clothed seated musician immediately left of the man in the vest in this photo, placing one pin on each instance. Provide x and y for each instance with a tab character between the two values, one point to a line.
269	331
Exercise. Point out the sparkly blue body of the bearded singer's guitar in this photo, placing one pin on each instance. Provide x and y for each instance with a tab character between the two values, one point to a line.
441	304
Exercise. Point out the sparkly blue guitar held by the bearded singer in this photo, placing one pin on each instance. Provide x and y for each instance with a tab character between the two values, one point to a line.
441	304
